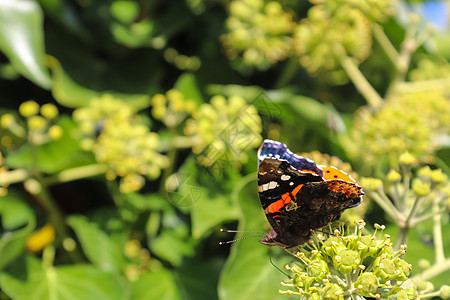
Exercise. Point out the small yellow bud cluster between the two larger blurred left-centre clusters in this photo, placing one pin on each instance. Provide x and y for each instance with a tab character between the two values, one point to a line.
172	108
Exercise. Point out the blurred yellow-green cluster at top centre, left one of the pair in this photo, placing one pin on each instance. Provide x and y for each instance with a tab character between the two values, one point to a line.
259	32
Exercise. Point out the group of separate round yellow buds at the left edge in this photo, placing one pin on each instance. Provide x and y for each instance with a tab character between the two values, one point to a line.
40	123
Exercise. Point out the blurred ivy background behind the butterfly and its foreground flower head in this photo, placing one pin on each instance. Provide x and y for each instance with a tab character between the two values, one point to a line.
129	132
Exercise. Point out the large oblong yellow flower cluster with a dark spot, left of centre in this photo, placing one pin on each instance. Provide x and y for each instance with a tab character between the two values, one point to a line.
117	136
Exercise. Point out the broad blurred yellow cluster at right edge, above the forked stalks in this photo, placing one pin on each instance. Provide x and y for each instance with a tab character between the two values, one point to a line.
413	122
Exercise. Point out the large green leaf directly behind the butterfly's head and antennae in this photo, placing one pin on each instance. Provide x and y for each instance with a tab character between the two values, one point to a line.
248	273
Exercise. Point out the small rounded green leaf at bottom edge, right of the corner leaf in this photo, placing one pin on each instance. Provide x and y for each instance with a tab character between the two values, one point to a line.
158	284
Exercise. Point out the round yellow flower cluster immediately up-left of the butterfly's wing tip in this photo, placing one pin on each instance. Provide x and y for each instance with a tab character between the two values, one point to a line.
225	129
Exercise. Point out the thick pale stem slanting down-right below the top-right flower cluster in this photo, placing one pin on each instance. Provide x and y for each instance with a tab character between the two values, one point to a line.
360	81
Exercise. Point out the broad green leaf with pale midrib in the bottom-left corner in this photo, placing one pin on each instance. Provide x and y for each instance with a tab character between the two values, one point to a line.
28	279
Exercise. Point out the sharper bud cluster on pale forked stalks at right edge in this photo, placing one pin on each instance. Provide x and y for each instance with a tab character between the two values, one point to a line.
408	199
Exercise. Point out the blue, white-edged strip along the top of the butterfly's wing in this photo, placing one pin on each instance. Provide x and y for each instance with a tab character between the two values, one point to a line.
280	151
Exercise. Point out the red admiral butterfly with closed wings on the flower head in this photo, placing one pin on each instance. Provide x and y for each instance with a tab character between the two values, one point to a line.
299	196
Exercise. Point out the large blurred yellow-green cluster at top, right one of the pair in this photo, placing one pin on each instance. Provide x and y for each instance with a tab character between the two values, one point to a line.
319	39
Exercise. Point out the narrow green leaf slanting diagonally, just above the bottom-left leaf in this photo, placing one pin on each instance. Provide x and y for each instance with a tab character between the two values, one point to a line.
97	245
